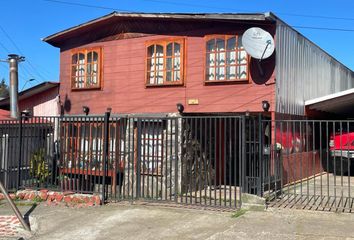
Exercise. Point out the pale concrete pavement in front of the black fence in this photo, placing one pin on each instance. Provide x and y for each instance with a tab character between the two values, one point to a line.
125	221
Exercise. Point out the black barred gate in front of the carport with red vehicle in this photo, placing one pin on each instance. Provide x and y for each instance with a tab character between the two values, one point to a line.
309	164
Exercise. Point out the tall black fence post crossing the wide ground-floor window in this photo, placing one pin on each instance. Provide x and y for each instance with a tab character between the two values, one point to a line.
105	153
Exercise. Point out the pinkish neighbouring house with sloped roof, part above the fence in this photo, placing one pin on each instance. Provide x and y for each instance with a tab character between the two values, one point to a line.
40	100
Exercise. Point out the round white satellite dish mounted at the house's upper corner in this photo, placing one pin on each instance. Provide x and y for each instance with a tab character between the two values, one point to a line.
258	43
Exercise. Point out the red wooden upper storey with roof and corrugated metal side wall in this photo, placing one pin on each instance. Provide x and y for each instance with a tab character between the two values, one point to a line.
147	63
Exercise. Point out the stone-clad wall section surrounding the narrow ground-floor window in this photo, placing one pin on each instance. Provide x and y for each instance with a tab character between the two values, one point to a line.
163	185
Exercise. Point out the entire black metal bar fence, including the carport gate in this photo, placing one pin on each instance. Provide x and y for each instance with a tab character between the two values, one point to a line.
199	160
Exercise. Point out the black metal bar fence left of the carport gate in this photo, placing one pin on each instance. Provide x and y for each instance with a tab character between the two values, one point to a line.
188	160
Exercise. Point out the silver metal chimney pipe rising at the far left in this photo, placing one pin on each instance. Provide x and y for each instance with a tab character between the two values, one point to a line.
13	62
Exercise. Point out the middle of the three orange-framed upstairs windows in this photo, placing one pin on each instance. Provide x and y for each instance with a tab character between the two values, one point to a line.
165	63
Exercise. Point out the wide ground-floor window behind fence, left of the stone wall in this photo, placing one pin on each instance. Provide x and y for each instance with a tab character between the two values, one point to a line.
82	145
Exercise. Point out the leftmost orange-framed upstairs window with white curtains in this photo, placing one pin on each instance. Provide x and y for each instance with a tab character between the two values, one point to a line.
86	69
